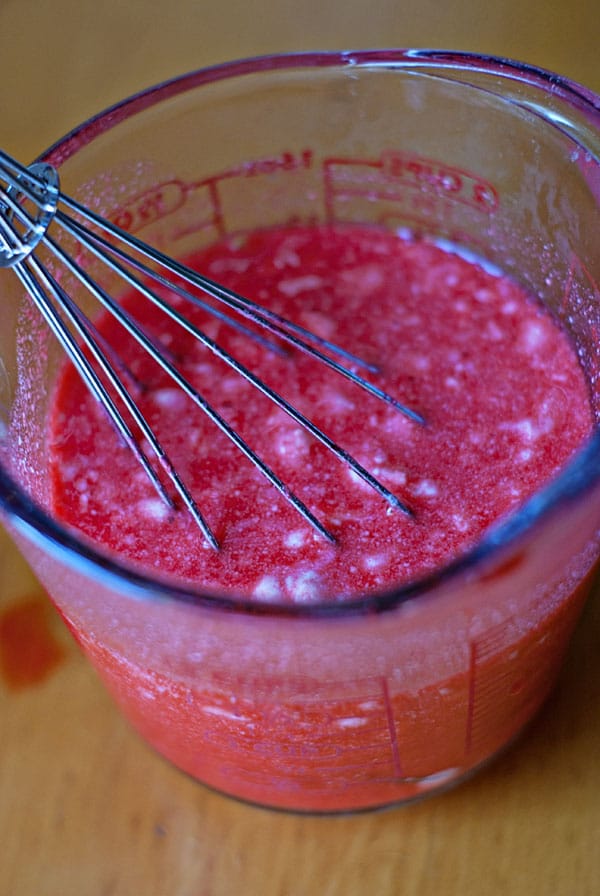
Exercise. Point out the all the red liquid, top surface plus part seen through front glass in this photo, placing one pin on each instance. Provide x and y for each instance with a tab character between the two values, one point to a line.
506	406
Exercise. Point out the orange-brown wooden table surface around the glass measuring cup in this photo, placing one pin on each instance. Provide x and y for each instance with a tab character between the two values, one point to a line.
85	806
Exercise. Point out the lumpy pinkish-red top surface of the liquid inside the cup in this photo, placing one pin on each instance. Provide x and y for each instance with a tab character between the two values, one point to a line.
496	380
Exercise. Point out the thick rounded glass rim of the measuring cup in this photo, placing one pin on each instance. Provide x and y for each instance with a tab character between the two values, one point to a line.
582	472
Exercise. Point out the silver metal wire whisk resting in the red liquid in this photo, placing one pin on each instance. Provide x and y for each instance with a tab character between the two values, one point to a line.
35	213
